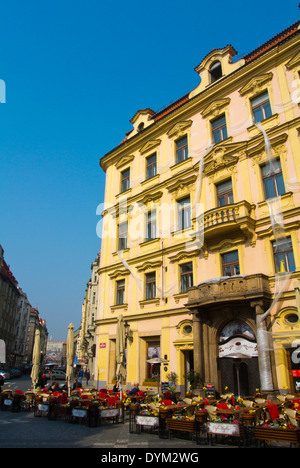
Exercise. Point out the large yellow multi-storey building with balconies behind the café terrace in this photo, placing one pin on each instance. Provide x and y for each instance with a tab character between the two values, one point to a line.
200	238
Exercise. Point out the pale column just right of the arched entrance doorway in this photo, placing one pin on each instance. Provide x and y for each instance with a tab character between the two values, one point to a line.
264	348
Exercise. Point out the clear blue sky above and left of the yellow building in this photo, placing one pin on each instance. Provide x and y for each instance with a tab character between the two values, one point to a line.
76	72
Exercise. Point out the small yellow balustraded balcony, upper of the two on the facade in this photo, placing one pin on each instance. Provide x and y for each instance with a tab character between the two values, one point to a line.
228	219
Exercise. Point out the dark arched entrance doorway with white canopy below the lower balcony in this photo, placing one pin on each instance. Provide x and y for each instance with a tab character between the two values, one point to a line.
238	358
